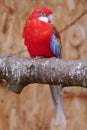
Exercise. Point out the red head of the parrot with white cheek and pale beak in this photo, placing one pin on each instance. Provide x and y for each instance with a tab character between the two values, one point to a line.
43	14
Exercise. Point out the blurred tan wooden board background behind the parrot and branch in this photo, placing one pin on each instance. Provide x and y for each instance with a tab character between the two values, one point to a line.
33	108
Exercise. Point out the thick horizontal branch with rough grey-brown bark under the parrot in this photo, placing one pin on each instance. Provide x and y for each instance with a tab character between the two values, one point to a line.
19	72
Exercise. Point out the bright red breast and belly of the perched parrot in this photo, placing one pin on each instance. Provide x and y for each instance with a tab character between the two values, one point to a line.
37	36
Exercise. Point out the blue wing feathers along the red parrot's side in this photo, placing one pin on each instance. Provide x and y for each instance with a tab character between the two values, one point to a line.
55	46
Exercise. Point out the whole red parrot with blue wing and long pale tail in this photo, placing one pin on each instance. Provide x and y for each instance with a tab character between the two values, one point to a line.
42	39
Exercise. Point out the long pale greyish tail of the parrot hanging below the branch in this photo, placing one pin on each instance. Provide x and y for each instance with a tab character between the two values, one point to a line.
57	96
